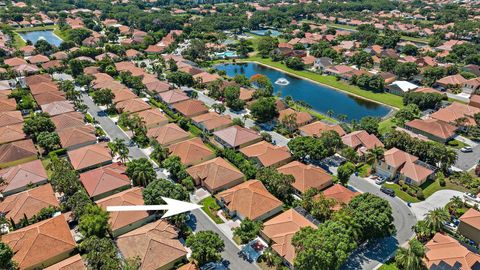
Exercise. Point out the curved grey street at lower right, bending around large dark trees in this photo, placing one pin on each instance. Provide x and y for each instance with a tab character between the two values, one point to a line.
374	253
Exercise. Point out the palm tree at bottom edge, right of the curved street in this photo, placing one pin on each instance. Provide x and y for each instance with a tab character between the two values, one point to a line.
411	258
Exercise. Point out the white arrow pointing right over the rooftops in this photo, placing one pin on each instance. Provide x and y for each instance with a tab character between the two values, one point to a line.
173	207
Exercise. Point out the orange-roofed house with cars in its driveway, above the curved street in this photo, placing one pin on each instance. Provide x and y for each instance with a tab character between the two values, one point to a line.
397	164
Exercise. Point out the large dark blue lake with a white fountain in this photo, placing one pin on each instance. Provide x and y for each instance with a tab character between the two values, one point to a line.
320	98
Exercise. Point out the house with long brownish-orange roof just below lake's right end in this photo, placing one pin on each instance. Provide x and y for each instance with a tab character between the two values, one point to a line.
433	129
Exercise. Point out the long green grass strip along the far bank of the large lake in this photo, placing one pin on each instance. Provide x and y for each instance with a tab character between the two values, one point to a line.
384	98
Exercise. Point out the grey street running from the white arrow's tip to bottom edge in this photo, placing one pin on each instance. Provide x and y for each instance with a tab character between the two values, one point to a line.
201	222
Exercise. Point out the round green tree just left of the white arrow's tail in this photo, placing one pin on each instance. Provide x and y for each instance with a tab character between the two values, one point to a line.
94	221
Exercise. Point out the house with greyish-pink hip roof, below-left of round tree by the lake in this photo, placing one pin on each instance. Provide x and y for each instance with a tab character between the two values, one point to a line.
236	137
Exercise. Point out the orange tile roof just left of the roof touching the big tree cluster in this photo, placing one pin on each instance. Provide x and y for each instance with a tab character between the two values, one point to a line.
306	176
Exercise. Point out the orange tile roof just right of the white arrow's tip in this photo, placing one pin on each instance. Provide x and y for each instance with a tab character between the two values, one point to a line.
250	199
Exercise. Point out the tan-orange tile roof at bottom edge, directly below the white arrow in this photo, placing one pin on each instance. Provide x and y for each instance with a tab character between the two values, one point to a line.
156	244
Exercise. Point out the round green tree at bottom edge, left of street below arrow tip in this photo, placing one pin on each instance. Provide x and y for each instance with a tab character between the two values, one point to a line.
206	246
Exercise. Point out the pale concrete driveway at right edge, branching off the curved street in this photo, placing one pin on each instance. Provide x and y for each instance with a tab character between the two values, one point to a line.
437	200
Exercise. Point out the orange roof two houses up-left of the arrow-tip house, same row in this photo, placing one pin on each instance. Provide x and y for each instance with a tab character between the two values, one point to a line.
191	151
